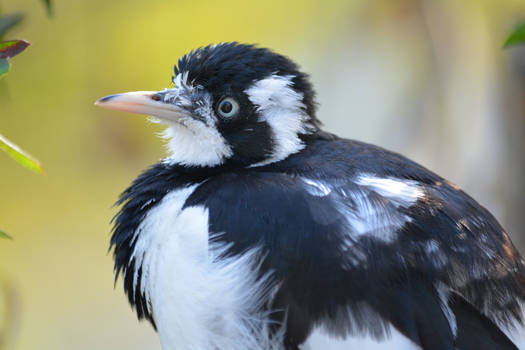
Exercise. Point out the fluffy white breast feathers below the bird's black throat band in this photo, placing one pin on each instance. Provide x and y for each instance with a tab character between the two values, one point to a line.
198	300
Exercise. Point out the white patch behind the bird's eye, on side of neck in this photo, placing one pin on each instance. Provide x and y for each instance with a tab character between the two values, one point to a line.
282	108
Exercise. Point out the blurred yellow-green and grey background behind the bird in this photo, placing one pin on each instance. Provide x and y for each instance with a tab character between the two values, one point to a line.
425	78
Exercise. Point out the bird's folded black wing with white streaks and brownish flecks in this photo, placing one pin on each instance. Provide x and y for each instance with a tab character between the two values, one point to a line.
350	253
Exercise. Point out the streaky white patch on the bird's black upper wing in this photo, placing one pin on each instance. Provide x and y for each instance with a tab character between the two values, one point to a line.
371	209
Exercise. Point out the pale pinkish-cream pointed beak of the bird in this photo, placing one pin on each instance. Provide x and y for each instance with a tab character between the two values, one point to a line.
142	102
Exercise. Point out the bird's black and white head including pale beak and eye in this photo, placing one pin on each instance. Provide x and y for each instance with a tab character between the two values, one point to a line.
231	104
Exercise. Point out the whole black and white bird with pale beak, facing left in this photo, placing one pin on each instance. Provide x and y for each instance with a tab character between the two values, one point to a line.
261	231
